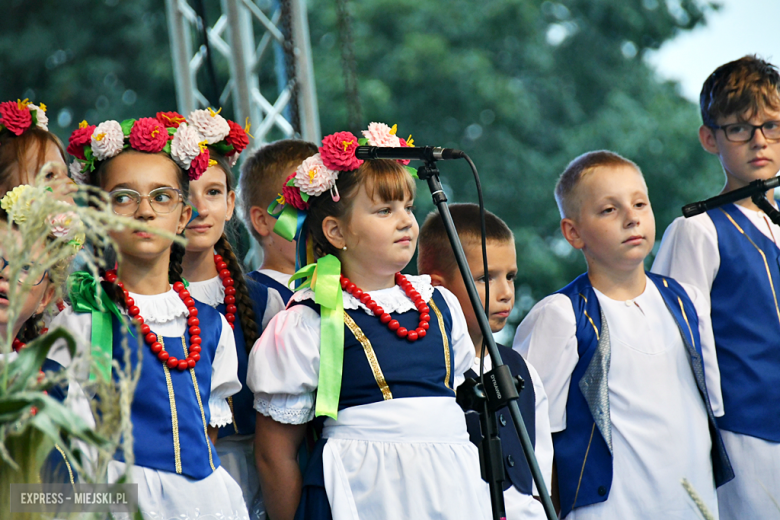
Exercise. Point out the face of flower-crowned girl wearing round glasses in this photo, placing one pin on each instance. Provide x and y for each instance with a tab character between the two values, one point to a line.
142	172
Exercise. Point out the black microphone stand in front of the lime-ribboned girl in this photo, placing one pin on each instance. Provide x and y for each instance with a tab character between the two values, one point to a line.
501	389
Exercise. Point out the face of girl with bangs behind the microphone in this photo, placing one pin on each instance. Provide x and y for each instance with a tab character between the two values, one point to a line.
381	236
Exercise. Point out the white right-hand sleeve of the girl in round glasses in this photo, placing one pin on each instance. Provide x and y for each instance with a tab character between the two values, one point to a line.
224	377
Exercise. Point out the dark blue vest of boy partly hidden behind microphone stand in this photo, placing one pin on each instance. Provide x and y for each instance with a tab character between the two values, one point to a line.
515	463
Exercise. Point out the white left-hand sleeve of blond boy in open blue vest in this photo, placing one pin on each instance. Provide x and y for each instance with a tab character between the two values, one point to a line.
547	338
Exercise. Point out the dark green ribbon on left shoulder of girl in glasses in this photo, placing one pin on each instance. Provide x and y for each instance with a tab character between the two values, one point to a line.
82	289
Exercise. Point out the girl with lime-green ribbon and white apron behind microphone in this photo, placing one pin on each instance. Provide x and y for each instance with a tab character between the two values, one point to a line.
367	353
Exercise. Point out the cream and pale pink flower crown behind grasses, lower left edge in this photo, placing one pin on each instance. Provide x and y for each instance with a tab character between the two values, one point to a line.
18	204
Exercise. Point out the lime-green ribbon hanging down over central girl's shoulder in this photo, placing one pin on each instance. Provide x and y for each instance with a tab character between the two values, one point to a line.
324	278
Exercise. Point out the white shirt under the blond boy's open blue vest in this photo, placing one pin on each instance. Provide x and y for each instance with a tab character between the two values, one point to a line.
660	431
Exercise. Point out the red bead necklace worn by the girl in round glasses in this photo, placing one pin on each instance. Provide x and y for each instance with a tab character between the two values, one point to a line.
151	338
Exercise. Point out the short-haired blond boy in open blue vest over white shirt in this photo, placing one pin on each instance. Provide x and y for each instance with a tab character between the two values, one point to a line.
627	359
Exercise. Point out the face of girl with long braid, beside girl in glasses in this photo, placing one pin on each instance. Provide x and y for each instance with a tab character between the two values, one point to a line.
215	205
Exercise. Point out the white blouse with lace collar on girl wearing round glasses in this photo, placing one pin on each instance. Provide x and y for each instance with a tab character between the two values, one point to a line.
166	314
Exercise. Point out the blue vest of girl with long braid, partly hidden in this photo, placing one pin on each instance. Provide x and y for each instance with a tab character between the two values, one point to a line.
241	404
